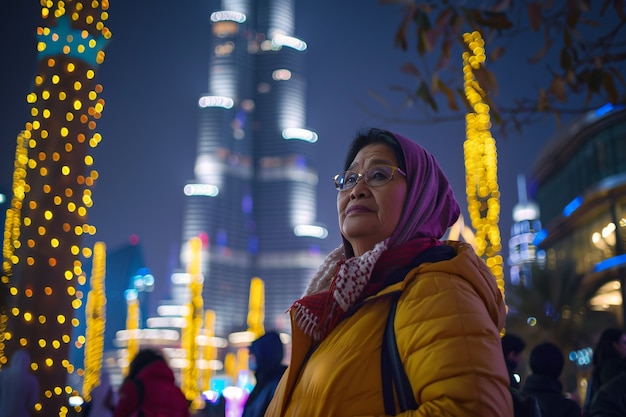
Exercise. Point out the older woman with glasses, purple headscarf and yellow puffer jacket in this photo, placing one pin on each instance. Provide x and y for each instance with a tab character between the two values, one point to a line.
394	204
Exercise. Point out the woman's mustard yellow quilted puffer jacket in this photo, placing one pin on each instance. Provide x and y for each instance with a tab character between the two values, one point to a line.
447	327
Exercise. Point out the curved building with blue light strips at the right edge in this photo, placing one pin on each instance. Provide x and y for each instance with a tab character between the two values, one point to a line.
579	182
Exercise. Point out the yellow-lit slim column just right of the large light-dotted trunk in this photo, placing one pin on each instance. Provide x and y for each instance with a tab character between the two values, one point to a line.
96	320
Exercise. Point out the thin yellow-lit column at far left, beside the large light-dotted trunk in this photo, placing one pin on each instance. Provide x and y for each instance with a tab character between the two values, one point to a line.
12	234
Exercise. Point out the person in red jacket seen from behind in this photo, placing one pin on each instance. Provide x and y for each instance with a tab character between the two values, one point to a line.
150	387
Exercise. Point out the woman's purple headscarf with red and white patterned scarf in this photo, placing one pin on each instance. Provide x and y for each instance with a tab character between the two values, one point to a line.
343	279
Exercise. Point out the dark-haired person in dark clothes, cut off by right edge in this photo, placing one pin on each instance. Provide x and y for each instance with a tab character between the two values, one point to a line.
608	362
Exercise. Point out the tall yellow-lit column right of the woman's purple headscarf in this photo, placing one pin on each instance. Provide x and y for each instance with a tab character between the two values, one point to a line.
483	196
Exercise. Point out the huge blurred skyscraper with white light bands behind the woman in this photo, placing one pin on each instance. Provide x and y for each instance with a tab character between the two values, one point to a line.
253	198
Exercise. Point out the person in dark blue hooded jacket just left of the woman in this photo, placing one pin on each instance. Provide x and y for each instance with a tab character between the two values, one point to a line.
266	356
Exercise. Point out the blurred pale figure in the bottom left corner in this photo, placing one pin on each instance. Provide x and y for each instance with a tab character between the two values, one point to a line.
19	389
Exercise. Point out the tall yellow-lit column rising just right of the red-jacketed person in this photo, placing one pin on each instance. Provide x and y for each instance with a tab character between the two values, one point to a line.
189	376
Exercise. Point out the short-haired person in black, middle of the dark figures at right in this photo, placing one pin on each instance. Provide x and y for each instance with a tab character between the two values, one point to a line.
546	363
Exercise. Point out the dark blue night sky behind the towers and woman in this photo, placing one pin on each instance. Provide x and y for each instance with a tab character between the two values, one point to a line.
155	70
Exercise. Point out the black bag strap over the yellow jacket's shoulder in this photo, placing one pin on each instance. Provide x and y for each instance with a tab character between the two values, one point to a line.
392	369
